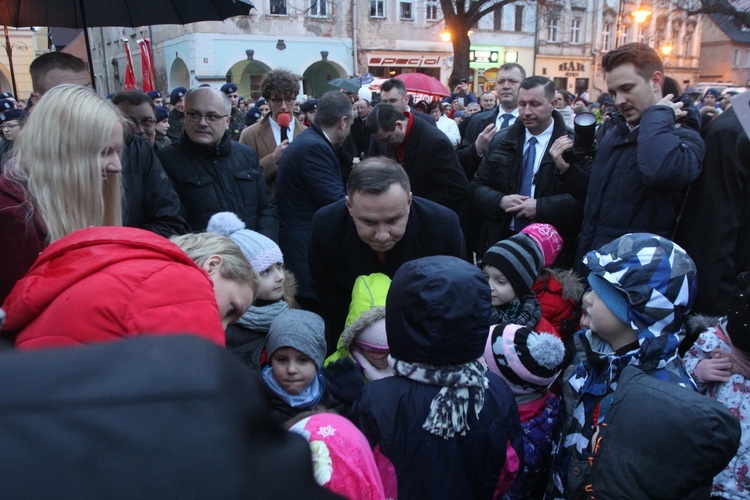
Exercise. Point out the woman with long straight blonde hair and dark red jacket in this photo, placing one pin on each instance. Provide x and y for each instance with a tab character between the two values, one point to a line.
64	175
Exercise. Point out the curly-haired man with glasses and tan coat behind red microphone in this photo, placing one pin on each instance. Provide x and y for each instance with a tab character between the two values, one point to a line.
279	89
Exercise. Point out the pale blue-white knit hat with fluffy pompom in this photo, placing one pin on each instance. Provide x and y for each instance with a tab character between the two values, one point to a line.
261	251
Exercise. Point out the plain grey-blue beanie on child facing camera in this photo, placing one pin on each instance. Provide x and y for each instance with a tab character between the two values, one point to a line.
302	330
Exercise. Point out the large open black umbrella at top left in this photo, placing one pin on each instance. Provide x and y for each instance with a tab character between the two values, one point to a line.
83	14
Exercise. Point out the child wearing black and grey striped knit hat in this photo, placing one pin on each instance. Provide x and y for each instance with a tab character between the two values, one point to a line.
511	267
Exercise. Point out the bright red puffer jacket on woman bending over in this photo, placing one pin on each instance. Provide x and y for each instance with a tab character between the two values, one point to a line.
107	283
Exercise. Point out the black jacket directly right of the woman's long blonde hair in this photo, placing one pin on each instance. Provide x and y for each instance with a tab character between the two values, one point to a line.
149	200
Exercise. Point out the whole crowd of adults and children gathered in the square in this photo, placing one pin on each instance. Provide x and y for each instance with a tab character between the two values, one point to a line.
451	299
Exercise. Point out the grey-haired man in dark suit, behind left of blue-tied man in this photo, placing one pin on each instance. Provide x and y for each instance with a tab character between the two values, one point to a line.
483	126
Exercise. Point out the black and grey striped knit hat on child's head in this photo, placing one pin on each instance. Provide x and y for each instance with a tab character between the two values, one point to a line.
519	258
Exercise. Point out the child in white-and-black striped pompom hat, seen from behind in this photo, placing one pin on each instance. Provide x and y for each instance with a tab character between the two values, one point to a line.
529	362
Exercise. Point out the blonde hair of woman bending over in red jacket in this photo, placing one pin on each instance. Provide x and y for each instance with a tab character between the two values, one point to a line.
234	266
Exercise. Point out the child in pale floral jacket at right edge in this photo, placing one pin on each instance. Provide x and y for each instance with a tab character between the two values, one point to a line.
719	362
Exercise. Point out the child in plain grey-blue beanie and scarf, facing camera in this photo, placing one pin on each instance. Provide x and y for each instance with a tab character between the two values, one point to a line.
294	377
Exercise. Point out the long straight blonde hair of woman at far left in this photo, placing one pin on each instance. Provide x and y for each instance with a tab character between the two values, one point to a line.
56	161
